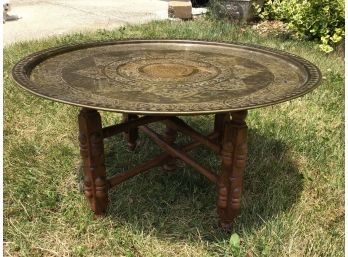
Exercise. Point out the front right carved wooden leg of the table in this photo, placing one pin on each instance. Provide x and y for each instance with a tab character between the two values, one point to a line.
234	153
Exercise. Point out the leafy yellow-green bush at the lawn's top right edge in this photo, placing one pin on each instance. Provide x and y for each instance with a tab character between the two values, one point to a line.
321	20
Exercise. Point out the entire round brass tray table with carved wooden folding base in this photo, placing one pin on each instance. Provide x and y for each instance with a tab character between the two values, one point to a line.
158	80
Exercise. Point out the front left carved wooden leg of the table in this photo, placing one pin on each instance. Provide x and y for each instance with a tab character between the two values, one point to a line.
95	185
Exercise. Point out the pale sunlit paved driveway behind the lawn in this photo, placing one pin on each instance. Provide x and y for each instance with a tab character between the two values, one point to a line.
54	17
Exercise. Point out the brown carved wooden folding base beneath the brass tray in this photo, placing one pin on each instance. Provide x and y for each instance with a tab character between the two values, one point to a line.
229	140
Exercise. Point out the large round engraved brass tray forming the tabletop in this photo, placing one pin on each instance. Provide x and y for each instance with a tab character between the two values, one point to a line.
172	77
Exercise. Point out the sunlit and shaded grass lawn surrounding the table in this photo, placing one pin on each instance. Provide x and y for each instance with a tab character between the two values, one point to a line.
293	199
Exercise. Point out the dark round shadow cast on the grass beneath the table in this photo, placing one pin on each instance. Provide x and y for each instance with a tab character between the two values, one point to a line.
181	205
